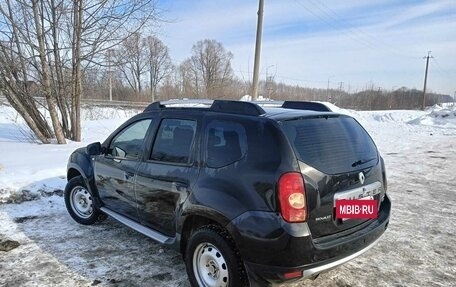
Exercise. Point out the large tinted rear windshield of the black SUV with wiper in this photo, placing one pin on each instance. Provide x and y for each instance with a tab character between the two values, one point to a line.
331	144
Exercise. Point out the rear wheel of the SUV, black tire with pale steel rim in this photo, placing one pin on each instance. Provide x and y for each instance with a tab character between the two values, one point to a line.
212	259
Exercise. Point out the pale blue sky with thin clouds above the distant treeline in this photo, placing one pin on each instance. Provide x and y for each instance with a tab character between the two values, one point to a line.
351	45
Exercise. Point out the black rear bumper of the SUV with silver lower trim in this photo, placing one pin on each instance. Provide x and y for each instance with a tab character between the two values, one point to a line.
296	251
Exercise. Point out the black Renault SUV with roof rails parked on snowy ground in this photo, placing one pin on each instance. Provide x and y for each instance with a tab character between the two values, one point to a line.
245	191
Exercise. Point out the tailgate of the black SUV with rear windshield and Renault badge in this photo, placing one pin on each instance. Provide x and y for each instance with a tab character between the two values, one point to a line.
338	160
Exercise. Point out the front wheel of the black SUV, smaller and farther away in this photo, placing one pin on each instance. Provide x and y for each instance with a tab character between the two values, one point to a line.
80	202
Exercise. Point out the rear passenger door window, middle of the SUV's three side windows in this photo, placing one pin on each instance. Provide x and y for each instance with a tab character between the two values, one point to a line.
174	141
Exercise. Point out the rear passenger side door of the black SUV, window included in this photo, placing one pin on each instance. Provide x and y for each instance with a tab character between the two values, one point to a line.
163	181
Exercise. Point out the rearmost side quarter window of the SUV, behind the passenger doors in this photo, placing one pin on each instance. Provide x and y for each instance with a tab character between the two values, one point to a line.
226	143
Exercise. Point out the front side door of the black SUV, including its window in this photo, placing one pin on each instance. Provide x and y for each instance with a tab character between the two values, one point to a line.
115	170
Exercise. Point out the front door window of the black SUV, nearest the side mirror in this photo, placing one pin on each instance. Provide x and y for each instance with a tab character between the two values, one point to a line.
128	142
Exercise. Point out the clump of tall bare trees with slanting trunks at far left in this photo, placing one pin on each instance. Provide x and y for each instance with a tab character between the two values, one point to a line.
50	43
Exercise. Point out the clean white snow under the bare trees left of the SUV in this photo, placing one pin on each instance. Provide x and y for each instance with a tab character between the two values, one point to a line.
28	170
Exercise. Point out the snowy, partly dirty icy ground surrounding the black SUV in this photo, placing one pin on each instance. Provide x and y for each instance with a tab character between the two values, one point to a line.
40	245
